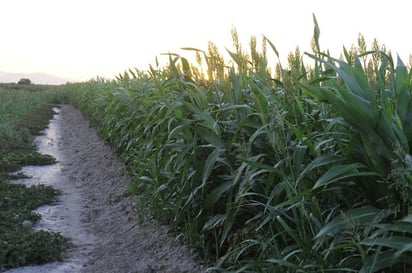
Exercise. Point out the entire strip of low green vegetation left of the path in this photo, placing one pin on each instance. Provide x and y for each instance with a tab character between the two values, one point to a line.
24	111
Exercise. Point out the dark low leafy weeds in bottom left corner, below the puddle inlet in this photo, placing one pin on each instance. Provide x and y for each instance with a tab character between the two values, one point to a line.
19	245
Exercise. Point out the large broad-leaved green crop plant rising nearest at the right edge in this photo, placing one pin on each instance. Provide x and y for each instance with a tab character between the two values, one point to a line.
373	118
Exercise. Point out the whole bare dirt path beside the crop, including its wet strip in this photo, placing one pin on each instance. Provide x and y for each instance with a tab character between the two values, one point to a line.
95	209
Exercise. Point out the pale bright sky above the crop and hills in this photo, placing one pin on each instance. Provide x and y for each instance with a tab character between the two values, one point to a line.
83	39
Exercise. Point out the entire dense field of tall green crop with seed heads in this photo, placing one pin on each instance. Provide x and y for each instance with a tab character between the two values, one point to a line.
296	168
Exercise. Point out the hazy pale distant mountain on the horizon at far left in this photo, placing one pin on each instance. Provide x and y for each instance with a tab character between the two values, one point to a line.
36	78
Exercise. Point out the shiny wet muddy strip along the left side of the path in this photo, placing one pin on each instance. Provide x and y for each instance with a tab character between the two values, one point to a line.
63	217
